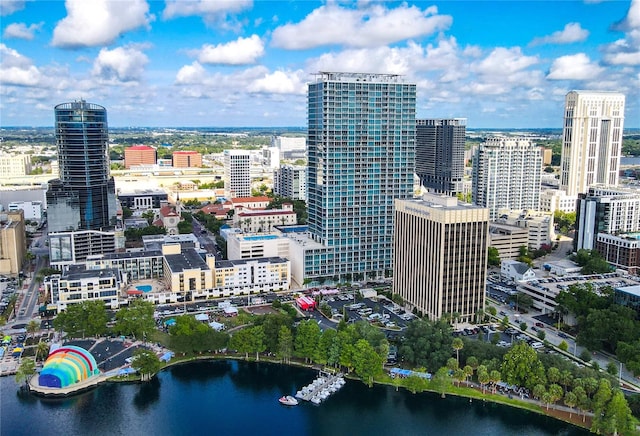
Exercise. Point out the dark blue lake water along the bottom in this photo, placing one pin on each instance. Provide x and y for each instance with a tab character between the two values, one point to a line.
240	398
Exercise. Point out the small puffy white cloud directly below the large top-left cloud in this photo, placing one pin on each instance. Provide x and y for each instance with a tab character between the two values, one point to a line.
122	64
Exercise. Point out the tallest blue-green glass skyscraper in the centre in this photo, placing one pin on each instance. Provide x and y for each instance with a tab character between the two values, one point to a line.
361	148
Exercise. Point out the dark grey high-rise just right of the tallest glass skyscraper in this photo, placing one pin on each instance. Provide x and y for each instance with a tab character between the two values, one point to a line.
440	154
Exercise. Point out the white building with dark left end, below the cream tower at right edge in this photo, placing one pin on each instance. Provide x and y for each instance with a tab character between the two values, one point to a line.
606	209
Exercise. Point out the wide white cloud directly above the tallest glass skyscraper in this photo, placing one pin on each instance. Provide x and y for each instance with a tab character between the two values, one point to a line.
372	26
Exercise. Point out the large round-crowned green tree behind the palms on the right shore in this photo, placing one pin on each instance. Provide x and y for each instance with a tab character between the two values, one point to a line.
521	366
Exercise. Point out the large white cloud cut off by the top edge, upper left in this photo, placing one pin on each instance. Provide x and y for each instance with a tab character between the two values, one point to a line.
99	22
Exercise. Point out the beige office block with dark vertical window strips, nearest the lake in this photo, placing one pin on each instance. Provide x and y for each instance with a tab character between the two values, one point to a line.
440	256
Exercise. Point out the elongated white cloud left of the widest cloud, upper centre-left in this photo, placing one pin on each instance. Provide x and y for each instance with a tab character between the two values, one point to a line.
242	51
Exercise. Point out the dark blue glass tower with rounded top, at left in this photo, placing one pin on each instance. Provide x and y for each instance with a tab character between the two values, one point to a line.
83	198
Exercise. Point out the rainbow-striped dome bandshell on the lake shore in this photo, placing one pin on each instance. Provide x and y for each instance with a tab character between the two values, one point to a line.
67	365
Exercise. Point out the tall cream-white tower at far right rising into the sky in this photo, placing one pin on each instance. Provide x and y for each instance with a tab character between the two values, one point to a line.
591	140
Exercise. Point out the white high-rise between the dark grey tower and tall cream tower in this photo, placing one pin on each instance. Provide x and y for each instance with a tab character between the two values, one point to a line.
506	175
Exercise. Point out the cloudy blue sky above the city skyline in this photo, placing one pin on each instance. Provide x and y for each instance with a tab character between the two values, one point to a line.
214	63
